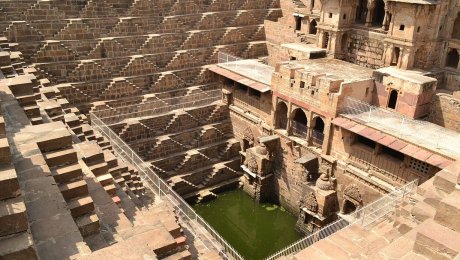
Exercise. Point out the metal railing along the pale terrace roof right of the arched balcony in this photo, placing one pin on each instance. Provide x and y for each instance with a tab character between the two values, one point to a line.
418	131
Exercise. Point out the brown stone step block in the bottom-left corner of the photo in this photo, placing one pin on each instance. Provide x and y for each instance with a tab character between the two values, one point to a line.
17	246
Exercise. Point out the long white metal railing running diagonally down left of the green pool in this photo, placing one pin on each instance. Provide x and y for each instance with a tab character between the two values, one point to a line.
198	226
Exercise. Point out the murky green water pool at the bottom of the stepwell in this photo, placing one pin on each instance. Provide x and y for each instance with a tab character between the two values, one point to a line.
254	230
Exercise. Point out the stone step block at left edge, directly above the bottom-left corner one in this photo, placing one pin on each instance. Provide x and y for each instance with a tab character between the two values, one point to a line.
13	216
